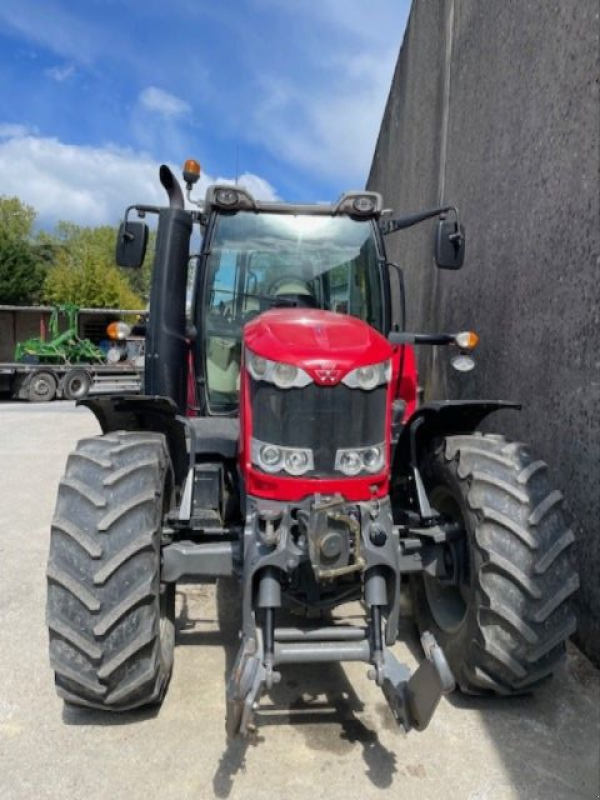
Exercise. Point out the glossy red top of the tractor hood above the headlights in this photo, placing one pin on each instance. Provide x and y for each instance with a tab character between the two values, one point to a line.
326	345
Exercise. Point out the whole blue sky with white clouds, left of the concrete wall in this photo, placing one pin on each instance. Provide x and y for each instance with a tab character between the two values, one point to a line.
95	94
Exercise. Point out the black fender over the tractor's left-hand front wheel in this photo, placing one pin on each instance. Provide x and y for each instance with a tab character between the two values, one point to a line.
144	413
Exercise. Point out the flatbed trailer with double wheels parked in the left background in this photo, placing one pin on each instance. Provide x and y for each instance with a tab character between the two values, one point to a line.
41	383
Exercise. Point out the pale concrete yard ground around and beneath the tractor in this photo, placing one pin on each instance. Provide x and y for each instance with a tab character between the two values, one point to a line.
326	734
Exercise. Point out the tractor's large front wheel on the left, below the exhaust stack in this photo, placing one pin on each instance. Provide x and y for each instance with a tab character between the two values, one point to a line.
110	620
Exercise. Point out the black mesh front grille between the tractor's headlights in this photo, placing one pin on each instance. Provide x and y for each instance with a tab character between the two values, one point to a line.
323	418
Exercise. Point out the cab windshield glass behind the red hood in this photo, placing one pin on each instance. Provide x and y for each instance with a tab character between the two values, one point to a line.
262	261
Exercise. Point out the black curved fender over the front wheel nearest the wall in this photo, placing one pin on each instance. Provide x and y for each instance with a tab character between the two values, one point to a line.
437	419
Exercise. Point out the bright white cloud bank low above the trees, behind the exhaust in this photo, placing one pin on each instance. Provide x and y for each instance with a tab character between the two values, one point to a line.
87	185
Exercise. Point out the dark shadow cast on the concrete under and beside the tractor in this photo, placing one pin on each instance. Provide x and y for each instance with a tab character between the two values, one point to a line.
321	704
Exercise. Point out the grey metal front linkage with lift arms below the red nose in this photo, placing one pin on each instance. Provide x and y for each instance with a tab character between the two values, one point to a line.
331	539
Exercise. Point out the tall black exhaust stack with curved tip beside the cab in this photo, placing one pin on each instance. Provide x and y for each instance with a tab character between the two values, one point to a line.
165	372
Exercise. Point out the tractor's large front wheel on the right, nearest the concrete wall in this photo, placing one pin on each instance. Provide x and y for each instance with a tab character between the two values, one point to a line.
503	623
